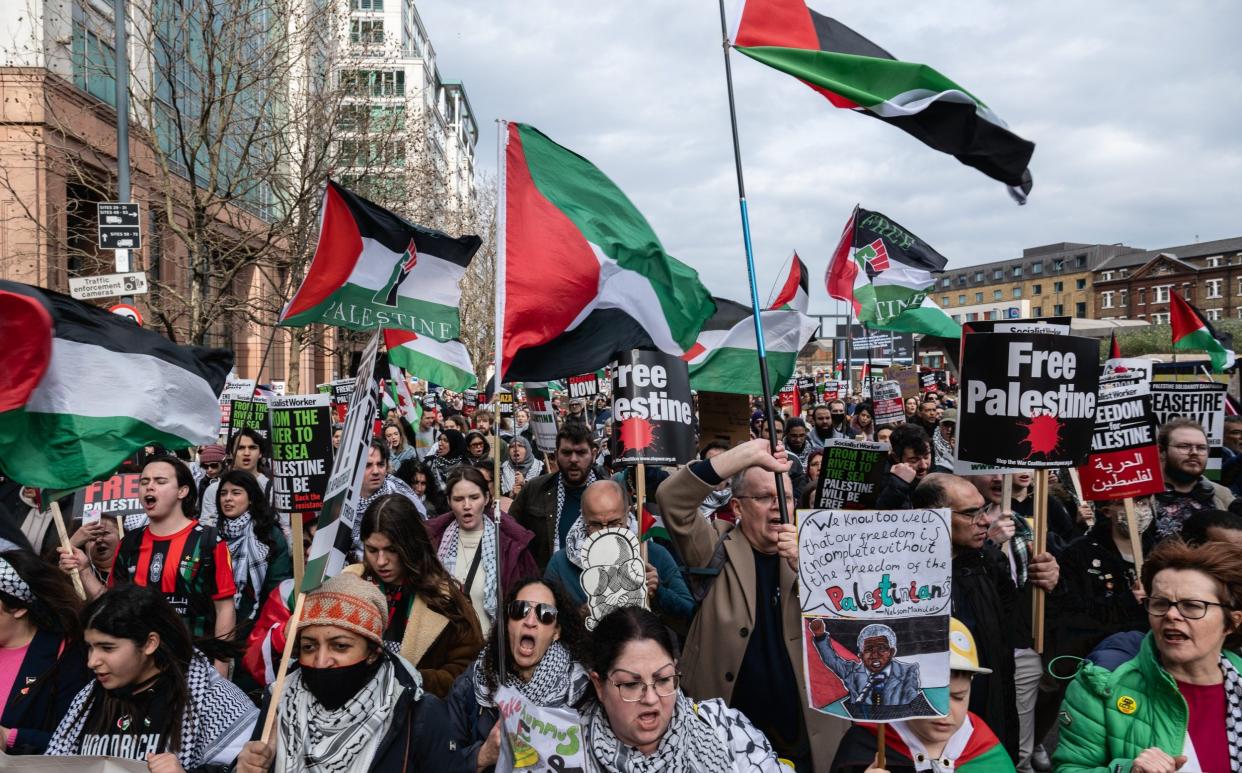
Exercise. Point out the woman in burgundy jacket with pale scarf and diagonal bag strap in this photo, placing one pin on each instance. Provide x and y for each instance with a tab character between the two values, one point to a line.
465	542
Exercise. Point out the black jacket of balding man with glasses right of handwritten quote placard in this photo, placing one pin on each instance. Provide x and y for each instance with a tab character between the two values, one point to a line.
988	603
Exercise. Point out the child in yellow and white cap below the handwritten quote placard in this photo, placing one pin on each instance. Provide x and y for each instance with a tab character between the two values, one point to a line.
959	743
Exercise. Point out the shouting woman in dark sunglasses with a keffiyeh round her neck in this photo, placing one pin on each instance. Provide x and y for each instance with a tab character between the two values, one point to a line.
542	657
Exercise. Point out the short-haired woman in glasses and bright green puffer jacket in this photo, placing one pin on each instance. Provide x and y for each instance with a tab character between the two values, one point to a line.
1178	704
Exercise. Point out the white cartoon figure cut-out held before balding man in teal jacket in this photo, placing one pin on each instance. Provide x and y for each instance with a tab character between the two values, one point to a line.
613	574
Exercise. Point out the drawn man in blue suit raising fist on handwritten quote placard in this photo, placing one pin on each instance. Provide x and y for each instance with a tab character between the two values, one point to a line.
880	687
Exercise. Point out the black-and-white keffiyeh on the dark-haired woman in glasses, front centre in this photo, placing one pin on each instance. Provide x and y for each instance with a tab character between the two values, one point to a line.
695	743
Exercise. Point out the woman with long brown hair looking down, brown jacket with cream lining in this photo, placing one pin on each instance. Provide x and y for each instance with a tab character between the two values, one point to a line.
429	616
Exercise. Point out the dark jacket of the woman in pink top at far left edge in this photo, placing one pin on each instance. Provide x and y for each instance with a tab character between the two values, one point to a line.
42	694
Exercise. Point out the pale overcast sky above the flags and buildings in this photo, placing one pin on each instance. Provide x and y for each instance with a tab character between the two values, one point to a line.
1136	110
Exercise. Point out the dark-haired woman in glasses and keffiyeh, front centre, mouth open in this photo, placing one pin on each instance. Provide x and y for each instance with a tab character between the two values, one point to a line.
643	721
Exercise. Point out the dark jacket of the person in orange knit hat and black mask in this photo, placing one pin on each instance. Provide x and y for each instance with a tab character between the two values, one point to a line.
418	739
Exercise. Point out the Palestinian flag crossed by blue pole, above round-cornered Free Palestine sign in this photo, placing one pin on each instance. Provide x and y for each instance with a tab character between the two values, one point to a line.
725	357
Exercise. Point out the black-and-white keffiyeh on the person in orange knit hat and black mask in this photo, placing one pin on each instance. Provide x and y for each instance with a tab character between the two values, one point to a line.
316	740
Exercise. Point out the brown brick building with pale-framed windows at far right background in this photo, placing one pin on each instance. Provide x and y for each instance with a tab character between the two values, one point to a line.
1137	285
